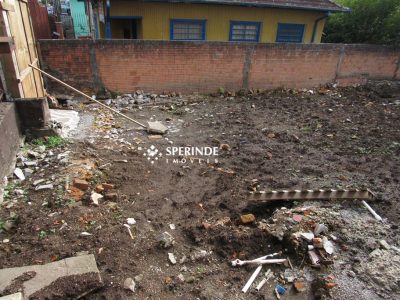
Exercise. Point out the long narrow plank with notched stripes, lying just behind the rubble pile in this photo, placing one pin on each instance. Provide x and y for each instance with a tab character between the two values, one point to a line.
310	195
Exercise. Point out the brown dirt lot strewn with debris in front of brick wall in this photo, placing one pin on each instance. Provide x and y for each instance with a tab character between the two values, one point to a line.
326	138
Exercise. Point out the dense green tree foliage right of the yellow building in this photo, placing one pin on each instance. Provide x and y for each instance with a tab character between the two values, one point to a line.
370	22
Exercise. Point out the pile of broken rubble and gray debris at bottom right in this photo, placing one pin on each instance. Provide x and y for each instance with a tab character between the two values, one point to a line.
330	242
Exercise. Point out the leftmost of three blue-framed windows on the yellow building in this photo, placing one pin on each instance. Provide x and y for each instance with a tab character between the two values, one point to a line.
187	29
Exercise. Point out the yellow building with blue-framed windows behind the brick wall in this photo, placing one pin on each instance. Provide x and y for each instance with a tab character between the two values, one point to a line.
266	21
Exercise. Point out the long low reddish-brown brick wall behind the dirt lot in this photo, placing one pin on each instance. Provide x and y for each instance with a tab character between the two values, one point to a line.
164	66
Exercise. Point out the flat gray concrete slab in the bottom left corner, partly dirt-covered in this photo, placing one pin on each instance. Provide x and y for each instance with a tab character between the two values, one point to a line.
49	273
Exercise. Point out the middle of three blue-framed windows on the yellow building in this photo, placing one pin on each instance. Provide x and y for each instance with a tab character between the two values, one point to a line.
244	31
